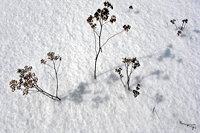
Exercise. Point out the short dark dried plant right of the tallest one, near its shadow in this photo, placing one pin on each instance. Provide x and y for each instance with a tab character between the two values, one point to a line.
130	65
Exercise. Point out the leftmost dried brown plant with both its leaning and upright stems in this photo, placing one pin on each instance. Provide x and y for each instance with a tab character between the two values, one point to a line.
28	81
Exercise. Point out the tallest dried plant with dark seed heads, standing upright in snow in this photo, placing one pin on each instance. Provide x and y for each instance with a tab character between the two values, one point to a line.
97	21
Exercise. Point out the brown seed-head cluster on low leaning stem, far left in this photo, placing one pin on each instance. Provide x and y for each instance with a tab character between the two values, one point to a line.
28	82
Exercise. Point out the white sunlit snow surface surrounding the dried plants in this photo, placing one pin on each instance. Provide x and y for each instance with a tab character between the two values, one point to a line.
169	73
